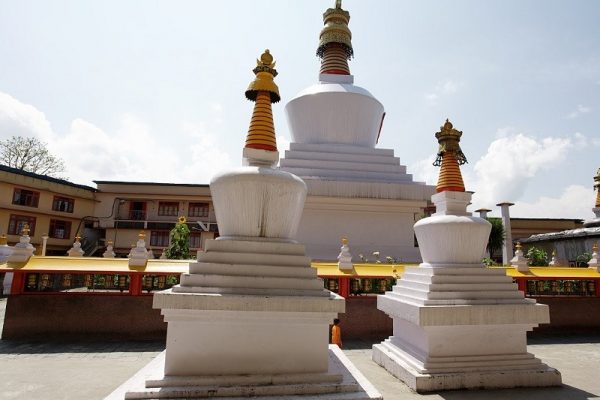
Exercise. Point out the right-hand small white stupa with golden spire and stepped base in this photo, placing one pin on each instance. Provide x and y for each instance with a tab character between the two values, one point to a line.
458	324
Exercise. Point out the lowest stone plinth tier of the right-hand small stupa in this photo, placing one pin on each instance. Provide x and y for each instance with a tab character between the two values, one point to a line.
497	375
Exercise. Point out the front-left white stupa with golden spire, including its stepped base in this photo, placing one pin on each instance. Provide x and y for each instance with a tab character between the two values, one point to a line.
251	318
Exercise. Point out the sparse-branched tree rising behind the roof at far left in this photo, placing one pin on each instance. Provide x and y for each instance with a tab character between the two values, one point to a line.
31	155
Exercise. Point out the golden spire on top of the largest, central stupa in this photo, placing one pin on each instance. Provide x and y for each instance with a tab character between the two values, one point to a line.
335	41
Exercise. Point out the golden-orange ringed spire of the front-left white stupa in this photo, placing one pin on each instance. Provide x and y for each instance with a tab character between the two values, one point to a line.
263	91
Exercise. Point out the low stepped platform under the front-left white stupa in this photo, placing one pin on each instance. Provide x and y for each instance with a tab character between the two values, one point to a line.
341	381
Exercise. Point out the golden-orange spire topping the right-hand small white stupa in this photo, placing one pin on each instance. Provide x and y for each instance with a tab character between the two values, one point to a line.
449	156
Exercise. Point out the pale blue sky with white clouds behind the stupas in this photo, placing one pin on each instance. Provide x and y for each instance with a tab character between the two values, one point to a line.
153	90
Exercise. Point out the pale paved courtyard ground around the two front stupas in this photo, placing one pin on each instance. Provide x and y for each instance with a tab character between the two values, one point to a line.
54	371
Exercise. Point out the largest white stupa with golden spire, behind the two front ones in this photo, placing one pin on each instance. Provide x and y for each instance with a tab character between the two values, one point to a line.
354	189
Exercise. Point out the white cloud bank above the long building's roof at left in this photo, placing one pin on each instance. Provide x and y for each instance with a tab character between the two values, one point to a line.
131	153
